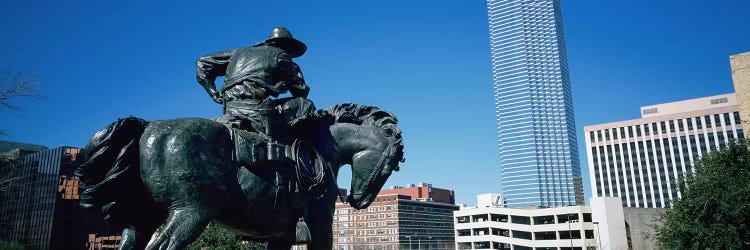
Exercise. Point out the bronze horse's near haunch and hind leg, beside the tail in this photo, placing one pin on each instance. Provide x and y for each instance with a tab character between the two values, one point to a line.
187	167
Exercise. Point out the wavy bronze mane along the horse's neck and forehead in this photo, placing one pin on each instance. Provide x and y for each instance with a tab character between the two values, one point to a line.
363	114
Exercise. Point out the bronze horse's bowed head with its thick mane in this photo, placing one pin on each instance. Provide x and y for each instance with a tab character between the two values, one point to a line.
368	139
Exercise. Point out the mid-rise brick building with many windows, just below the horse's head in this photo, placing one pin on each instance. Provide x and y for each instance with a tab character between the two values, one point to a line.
412	217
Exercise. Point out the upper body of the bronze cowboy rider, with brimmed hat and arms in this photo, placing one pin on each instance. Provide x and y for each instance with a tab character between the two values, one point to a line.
251	76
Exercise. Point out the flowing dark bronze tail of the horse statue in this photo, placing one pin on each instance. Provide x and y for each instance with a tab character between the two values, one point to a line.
110	174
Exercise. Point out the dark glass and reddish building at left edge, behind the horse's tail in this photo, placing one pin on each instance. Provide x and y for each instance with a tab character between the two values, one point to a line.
39	207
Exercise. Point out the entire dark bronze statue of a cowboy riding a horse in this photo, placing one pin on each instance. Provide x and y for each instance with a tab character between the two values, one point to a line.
255	170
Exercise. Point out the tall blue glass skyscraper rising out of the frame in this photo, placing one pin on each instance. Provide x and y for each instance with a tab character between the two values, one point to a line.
536	127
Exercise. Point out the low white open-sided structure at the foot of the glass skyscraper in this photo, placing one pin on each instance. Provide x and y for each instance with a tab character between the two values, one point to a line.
599	226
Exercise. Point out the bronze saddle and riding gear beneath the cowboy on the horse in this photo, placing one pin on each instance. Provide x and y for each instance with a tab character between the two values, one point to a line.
289	124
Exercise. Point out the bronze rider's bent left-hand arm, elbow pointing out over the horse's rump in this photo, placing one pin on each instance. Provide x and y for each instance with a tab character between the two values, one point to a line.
209	67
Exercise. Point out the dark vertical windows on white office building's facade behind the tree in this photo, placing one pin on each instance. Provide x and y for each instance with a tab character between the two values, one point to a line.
657	162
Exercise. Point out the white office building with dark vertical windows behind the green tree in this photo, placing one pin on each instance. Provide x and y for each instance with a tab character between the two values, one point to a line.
640	160
